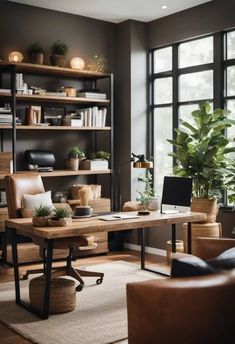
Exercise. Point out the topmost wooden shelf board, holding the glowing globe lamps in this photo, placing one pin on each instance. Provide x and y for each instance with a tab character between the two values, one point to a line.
57	71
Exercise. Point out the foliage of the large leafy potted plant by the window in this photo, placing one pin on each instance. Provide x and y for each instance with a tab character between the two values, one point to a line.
201	151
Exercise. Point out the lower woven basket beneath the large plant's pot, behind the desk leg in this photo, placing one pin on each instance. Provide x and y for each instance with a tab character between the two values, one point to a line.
208	230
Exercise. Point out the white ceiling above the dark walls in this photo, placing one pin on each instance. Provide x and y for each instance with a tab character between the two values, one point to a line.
116	11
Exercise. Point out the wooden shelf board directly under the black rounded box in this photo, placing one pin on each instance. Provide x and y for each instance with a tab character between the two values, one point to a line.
64	173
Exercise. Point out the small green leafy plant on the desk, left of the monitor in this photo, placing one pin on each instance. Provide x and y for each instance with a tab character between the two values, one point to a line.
147	191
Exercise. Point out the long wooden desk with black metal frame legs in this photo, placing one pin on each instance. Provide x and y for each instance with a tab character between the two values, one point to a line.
86	226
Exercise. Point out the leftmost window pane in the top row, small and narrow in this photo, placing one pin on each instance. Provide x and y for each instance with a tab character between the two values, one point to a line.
162	60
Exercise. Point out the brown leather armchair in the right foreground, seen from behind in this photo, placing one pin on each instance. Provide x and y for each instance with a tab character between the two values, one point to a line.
189	310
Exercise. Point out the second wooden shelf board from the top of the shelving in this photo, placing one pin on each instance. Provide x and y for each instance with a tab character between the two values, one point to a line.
56	99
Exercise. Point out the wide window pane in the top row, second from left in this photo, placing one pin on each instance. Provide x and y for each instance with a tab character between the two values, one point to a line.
196	52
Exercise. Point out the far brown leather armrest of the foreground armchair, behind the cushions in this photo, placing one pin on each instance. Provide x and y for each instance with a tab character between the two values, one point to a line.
207	248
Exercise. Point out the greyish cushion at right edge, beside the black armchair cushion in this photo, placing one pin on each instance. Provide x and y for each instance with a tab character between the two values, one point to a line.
224	261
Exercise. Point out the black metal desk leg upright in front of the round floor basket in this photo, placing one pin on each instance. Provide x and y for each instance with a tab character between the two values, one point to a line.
49	257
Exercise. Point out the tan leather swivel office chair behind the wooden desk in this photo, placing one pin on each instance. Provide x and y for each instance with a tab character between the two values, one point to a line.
19	184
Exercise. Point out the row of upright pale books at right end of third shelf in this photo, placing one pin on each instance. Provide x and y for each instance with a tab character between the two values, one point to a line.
89	117
